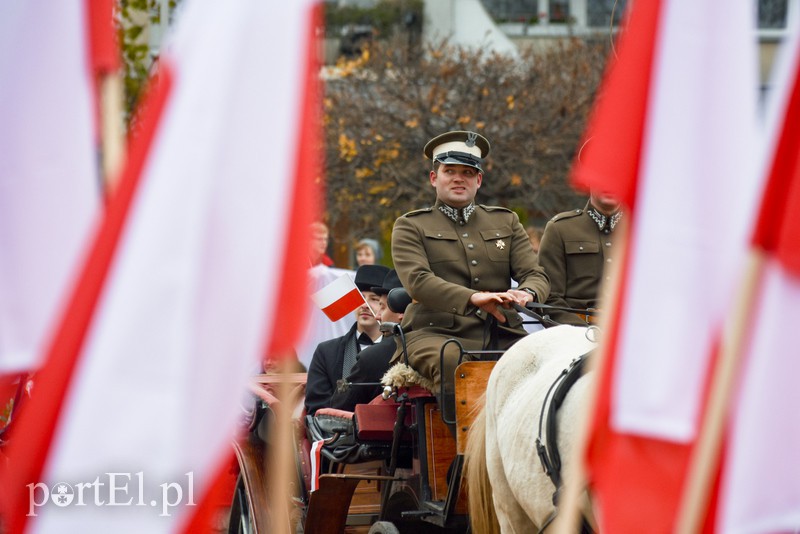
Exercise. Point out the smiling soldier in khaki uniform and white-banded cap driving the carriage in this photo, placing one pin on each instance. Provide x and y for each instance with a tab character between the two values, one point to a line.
456	260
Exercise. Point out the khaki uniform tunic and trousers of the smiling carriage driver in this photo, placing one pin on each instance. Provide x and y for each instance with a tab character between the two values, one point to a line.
441	263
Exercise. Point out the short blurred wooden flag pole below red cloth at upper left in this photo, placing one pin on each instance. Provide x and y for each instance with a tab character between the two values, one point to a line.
112	130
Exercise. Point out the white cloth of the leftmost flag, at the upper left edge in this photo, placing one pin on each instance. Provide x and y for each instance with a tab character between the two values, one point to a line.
49	191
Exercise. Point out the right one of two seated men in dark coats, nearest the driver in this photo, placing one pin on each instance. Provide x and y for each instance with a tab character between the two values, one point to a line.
373	361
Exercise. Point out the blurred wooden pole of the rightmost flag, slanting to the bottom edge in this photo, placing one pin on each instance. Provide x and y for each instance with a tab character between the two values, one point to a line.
705	455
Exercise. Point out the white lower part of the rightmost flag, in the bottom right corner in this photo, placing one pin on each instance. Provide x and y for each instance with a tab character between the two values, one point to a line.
765	438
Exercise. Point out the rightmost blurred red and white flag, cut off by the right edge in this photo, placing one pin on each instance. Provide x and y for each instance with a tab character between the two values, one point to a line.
760	483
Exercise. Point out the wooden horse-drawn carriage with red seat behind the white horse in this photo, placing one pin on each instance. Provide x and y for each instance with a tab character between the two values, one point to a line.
392	465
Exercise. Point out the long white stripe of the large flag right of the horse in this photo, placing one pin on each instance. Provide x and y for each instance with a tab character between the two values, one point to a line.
691	222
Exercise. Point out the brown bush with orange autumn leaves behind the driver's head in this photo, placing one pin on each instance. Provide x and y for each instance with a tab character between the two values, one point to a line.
382	107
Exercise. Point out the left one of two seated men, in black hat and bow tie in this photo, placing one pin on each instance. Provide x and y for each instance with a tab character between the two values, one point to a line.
335	358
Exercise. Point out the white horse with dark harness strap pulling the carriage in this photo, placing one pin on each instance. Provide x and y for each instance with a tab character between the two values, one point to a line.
509	491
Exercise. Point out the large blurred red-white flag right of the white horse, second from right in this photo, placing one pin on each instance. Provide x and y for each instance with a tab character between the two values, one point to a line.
673	135
